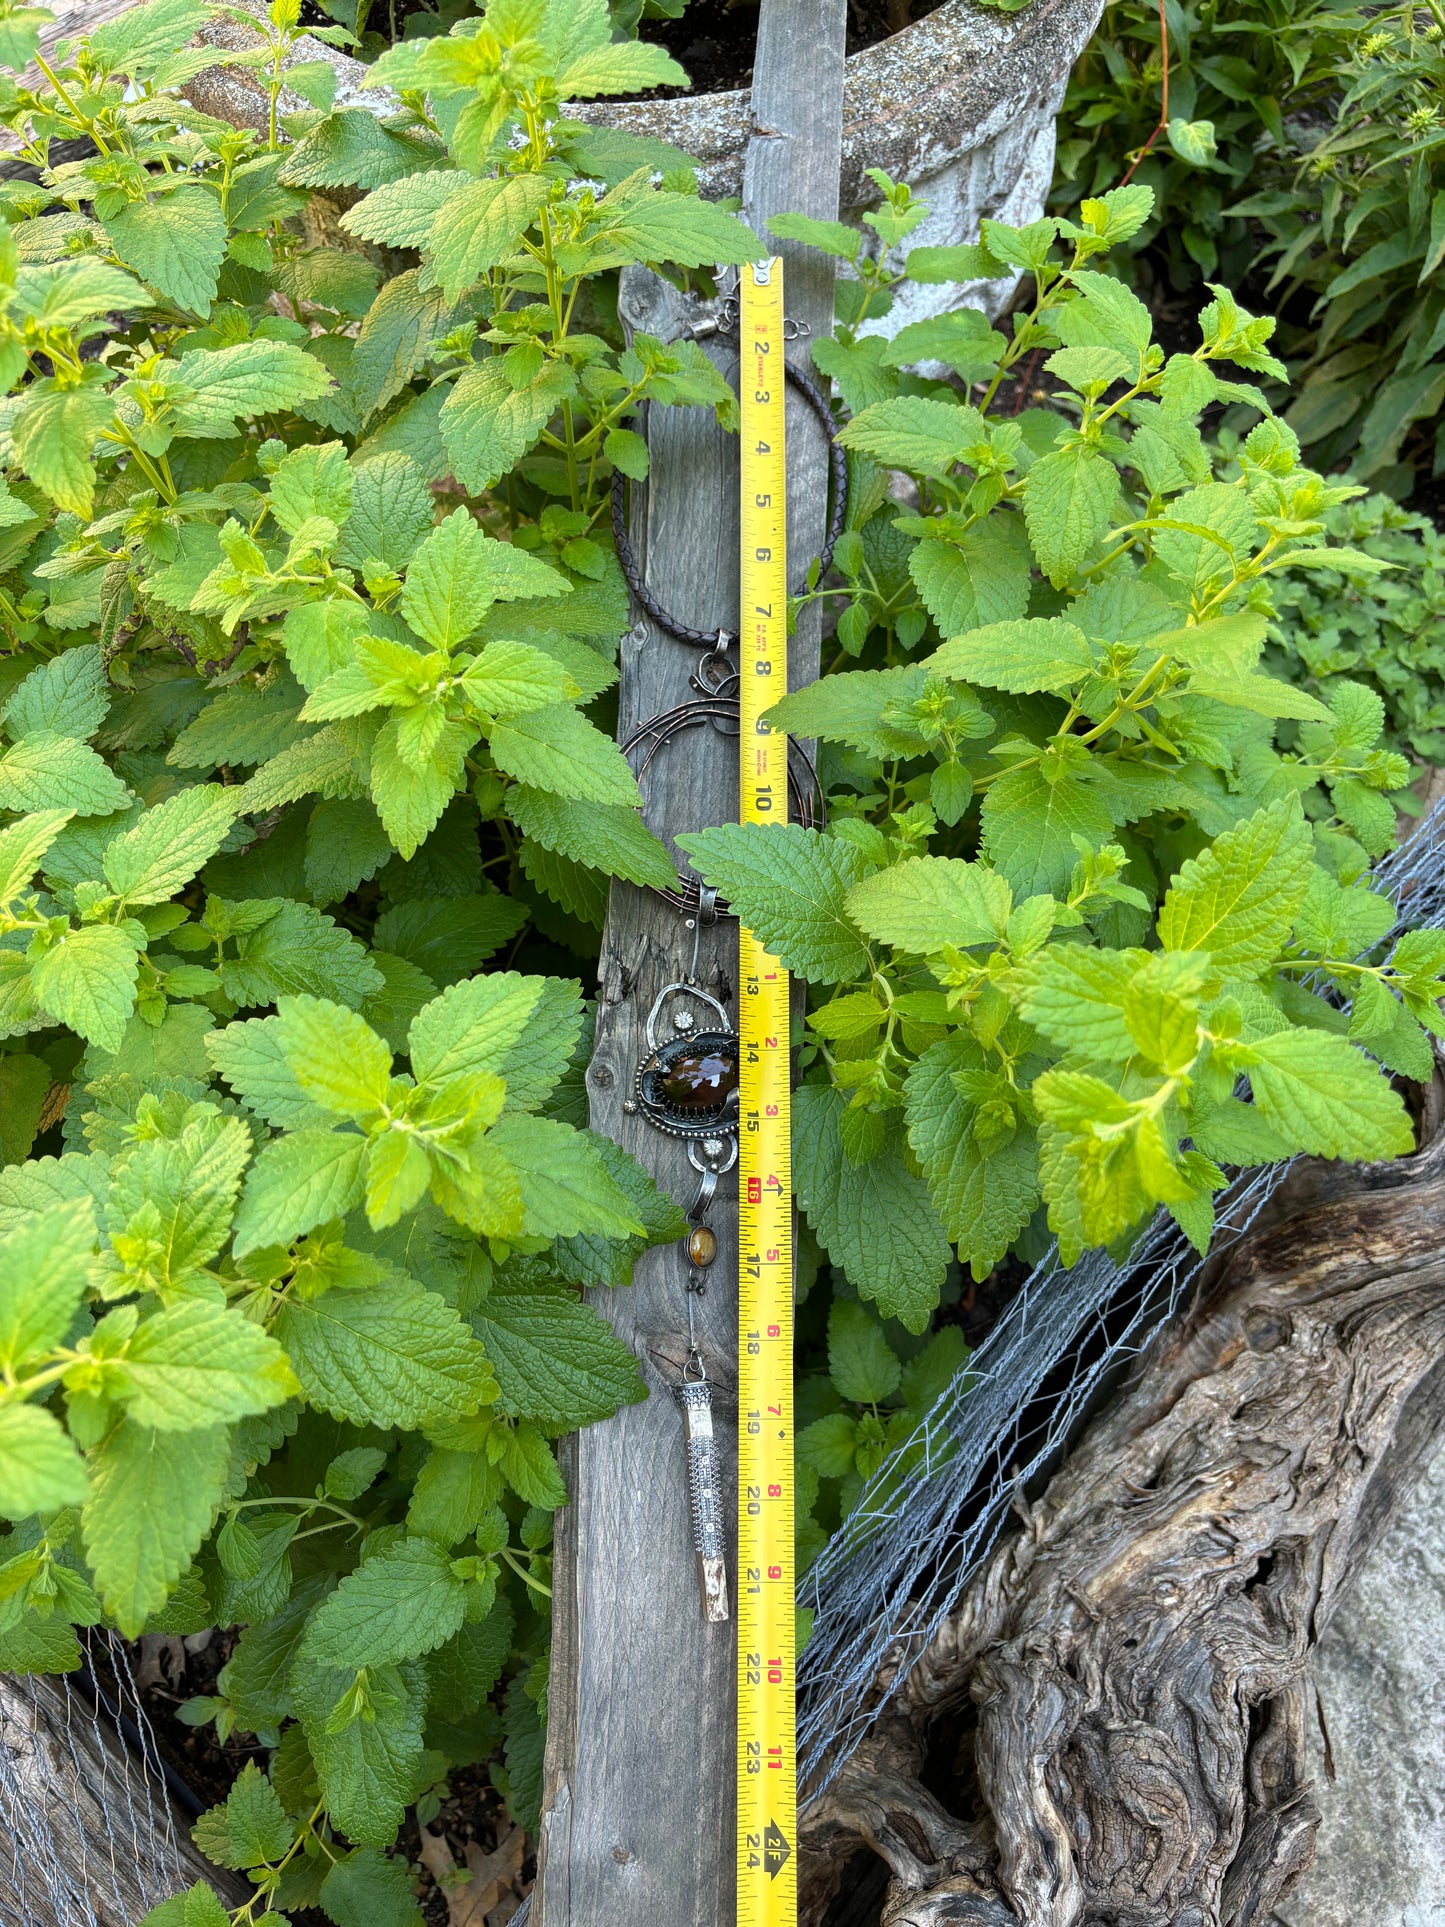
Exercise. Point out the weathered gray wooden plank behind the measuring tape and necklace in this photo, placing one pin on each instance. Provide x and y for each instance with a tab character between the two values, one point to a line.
639	1808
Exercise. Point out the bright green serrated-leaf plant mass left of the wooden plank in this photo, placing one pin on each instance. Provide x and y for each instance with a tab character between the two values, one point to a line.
294	745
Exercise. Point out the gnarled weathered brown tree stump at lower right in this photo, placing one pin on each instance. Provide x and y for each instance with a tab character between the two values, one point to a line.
1120	1699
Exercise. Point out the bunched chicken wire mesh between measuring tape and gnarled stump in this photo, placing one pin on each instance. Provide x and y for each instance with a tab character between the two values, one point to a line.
937	1506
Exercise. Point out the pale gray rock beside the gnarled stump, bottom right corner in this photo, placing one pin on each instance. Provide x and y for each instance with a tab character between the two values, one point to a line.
1380	1855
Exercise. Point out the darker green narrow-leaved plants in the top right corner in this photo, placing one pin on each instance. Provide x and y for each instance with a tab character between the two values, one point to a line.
1305	151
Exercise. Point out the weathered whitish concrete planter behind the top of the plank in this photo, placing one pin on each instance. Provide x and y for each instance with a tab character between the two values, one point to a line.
960	105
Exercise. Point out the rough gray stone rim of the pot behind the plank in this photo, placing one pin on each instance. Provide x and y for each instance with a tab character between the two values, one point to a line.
937	90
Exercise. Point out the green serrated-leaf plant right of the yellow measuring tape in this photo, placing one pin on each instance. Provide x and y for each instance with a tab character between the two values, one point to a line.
1076	901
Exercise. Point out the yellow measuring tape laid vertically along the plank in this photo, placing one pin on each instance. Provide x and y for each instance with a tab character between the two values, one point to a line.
768	1793
